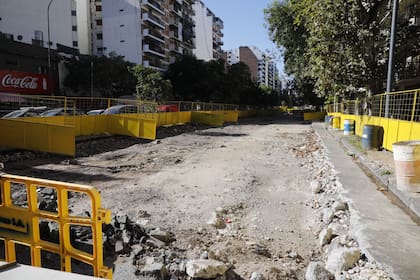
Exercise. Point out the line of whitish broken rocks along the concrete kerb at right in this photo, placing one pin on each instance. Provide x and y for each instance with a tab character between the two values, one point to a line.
341	257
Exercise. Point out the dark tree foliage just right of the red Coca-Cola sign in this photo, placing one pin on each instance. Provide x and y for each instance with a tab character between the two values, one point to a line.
111	76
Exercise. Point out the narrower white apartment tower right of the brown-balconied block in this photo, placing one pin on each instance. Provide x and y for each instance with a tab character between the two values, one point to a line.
208	30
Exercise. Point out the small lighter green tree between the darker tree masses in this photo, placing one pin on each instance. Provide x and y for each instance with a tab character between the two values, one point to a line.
150	84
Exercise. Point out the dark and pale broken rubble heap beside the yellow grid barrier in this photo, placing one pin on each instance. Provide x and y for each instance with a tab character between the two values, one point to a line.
153	254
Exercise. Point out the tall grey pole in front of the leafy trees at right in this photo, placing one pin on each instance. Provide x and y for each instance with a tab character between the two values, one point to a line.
390	76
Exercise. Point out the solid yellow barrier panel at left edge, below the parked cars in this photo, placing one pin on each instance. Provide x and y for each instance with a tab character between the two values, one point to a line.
51	138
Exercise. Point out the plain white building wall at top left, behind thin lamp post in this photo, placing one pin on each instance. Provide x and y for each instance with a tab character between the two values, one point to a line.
22	18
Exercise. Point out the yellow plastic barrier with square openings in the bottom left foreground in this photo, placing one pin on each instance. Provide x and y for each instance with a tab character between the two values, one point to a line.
43	231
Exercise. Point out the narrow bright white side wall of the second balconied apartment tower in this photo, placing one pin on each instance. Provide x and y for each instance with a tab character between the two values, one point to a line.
203	32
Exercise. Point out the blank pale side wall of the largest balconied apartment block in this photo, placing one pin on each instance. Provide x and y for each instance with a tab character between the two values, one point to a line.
121	29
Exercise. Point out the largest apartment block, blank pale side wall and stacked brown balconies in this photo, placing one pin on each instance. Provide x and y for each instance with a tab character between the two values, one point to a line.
148	32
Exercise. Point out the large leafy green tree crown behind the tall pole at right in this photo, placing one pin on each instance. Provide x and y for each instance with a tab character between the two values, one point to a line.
339	46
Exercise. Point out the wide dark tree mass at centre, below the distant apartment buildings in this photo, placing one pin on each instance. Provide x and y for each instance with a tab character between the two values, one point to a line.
196	80
